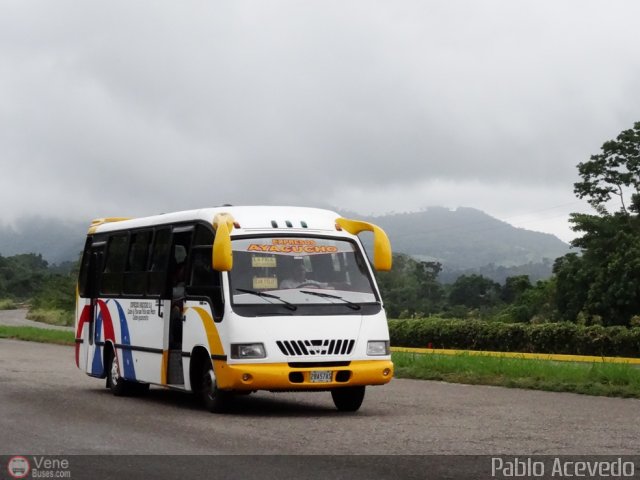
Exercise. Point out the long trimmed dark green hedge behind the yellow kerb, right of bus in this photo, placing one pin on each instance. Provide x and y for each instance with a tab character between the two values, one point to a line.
559	338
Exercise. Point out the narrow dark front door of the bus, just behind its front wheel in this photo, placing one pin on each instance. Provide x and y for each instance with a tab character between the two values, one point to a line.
174	321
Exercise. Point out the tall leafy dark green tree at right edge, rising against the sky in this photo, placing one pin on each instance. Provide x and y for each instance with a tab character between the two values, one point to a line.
604	282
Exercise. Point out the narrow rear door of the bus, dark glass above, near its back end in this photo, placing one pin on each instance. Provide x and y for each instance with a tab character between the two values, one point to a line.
90	357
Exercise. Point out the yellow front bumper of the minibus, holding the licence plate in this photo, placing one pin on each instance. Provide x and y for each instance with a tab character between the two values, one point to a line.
282	376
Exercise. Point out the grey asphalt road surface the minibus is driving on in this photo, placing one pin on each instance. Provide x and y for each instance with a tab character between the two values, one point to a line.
49	407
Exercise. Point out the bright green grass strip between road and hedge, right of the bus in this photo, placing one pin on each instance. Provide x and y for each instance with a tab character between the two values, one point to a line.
605	379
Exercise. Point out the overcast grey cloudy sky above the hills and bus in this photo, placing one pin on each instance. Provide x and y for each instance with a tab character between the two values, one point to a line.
135	108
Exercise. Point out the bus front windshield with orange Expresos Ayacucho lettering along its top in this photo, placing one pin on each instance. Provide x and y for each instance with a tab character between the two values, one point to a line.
299	271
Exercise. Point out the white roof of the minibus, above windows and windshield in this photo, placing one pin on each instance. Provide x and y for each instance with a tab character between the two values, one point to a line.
245	218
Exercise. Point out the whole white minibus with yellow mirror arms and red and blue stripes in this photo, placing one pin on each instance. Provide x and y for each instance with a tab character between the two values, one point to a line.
231	300
